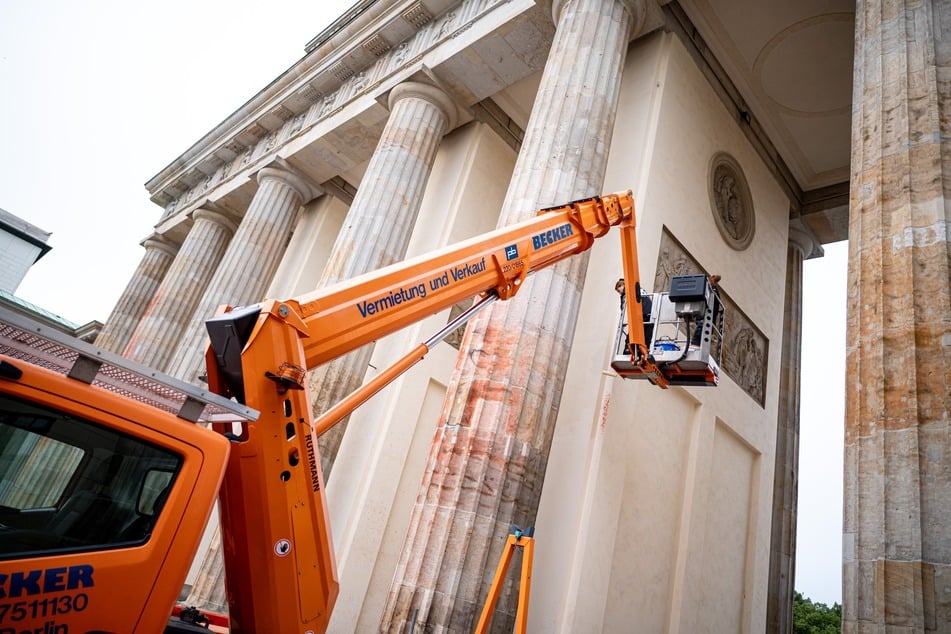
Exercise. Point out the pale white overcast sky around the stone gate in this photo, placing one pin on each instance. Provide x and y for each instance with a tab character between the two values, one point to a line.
97	97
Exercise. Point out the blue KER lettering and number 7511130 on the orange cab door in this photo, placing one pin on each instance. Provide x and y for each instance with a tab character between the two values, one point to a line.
34	603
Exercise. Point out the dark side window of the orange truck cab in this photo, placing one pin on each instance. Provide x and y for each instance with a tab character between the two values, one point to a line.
68	484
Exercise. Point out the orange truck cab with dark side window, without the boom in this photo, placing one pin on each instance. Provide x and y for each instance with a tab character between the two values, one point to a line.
104	495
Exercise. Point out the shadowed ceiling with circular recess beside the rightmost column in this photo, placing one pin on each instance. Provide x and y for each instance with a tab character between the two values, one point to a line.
789	66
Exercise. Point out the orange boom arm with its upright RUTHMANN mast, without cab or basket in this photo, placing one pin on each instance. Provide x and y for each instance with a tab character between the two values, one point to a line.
279	561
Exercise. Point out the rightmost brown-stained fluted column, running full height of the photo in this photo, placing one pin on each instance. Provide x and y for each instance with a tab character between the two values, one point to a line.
896	573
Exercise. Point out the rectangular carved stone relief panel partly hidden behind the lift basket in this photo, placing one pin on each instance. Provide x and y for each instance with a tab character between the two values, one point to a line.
745	347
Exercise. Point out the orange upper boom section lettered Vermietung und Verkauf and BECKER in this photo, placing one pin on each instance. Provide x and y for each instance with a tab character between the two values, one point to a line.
348	315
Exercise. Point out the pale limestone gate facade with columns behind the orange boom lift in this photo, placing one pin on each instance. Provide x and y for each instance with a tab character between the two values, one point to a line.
437	121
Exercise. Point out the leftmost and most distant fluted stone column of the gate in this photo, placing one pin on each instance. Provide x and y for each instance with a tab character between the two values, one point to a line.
137	295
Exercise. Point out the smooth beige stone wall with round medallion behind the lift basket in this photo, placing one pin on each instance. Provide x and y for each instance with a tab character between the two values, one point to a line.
656	505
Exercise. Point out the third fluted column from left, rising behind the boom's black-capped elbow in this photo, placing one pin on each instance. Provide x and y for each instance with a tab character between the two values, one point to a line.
249	262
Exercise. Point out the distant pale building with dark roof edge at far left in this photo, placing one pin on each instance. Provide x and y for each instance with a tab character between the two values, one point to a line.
21	245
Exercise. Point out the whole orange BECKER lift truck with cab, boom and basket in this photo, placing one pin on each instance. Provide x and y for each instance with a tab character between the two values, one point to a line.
108	476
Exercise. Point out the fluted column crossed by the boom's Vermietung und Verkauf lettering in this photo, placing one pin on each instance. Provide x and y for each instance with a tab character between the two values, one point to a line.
378	227
